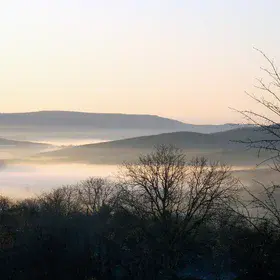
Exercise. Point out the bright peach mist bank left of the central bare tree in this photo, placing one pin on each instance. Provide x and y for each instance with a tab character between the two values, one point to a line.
26	180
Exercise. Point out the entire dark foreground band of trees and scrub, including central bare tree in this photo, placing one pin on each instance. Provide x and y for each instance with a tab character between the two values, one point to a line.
164	218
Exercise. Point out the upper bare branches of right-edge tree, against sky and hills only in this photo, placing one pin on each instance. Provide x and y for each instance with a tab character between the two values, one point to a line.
268	121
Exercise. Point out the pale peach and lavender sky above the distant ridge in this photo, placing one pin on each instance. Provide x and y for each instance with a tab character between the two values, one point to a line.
186	59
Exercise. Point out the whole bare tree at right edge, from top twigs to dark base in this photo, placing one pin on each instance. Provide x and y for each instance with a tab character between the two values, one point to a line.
256	243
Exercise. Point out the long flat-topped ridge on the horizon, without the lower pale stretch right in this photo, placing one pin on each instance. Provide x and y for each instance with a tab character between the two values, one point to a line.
97	120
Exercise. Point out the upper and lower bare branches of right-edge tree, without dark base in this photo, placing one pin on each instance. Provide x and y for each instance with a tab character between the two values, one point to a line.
265	205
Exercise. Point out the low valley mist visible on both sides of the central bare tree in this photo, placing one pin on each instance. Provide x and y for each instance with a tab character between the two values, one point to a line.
23	180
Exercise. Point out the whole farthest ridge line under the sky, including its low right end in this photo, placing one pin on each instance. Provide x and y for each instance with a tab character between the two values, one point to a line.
67	120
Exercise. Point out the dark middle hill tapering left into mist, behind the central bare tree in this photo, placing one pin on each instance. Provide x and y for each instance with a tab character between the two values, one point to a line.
217	146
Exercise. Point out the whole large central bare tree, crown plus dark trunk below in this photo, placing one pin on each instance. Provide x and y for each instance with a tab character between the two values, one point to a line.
178	194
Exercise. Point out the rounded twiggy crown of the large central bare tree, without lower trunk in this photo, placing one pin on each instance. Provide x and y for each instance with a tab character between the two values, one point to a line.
164	184
